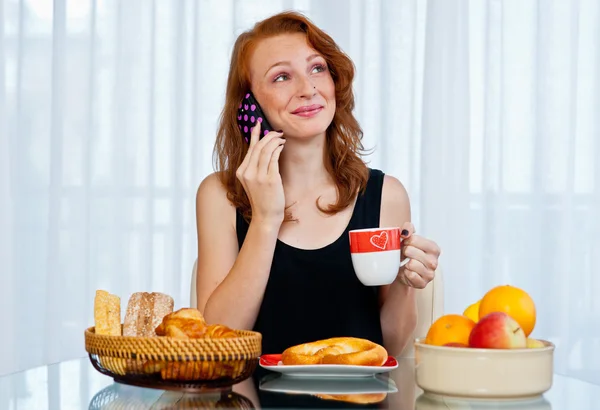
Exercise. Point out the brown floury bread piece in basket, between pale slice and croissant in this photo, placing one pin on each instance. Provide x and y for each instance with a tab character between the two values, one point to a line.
144	313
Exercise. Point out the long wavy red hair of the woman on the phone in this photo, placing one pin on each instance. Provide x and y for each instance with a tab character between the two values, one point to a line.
344	134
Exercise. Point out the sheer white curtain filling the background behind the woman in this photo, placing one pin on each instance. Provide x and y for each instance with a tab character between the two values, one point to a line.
488	111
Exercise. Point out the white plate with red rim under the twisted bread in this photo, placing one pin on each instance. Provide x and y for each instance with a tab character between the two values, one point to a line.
273	362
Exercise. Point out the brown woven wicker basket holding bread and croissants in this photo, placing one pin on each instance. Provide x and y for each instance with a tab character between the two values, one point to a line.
166	362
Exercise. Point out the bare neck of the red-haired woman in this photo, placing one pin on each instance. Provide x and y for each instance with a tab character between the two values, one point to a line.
301	164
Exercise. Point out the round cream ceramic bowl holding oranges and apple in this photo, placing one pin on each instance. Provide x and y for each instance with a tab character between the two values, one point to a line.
484	373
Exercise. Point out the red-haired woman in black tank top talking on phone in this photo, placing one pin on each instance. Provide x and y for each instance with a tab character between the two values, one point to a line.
273	221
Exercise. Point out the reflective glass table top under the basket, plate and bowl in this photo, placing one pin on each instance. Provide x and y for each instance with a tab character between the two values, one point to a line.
75	384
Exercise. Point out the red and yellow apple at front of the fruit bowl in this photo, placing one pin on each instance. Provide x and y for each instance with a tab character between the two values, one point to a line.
497	330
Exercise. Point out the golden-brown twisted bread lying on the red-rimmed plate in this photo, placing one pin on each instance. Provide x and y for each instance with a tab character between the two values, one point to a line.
337	350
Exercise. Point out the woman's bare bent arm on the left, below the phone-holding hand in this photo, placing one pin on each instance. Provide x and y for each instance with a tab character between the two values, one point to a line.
230	285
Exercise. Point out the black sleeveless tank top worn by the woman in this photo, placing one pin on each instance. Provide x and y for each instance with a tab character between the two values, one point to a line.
315	294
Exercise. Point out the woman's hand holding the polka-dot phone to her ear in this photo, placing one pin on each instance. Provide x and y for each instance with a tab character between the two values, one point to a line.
259	175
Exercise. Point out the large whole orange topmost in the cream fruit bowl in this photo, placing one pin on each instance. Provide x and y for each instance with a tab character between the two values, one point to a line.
514	302
